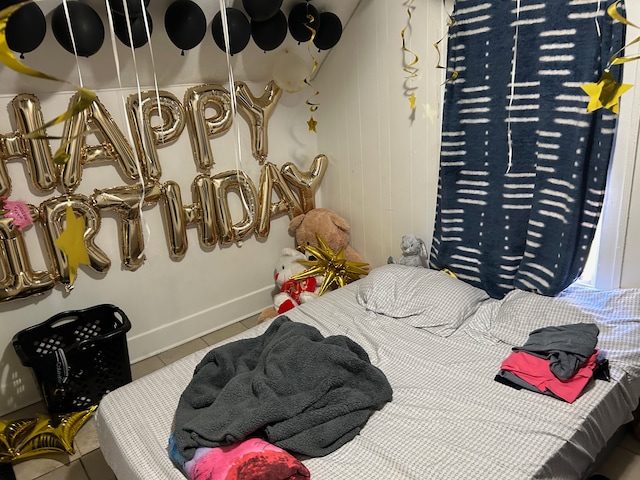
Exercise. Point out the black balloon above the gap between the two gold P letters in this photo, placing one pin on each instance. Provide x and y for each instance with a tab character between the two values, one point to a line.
185	24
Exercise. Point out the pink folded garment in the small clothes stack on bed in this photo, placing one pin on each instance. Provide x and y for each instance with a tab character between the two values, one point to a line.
535	371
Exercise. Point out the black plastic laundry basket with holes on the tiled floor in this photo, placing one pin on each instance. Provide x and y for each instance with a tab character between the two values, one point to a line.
77	356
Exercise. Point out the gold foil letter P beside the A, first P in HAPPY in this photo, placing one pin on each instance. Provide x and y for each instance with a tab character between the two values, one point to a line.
147	137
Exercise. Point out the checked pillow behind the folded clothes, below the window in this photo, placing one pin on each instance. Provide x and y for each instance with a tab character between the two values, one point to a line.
616	312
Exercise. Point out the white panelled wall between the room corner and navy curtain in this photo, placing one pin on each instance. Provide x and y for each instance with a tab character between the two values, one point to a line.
384	171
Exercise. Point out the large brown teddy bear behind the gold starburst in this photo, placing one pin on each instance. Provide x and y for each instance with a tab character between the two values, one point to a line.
331	227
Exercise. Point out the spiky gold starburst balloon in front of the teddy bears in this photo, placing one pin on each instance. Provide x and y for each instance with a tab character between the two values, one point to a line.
337	271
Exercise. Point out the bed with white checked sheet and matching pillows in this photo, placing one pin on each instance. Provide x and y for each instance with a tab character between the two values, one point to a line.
440	343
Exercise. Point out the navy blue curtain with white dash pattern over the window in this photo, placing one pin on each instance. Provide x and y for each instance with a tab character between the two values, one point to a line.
523	166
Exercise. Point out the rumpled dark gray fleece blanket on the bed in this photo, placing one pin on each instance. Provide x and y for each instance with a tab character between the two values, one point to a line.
291	386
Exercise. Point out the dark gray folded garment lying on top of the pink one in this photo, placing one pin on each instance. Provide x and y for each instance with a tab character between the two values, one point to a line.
566	346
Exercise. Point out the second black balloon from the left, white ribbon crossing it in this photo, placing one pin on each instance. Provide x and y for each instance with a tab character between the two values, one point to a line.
88	31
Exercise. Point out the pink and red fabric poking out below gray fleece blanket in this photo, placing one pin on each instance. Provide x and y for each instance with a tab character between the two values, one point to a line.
248	460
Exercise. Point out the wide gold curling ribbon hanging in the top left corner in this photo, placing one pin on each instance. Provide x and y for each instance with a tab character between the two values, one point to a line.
7	57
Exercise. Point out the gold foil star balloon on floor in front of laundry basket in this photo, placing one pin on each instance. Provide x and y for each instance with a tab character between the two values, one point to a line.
28	437
